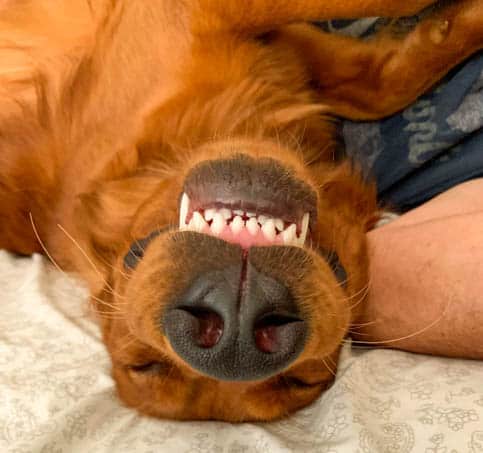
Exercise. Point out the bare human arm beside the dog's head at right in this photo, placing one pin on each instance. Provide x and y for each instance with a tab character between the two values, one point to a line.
427	278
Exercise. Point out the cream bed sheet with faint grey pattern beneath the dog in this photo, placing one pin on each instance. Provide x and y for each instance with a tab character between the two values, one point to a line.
56	393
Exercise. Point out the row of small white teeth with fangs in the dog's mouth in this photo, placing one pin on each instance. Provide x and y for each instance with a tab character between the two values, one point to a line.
220	218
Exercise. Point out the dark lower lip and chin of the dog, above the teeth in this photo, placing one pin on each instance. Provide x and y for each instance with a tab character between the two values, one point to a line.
262	186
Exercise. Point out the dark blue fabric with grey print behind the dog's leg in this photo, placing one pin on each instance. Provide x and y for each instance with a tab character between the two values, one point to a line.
432	145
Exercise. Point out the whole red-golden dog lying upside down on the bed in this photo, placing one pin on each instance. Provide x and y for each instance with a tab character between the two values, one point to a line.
182	157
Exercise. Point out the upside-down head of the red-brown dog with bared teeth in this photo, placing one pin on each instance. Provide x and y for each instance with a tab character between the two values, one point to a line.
238	285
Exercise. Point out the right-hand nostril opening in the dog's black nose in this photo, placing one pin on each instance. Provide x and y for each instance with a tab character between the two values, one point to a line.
269	331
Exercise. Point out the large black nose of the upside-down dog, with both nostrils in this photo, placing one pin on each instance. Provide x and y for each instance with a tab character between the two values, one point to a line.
236	324
